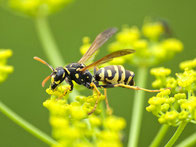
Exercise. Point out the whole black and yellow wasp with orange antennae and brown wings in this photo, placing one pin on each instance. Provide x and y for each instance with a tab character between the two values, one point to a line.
110	76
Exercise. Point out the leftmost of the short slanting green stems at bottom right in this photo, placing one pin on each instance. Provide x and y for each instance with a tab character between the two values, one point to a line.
156	142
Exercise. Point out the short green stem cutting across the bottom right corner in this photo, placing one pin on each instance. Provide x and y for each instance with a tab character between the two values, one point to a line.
190	141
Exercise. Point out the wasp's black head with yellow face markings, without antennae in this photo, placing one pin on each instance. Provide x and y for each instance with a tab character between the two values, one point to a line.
57	77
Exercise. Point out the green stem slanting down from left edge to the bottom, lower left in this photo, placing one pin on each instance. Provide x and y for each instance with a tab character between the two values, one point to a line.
26	125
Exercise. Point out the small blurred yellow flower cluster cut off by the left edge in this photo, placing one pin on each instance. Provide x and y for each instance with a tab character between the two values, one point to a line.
5	70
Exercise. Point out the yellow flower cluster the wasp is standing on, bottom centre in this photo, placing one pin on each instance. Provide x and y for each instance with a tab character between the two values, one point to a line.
72	126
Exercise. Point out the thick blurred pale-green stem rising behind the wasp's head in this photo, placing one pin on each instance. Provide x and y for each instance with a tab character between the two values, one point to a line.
48	42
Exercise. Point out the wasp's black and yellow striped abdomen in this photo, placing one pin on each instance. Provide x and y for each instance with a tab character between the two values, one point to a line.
115	74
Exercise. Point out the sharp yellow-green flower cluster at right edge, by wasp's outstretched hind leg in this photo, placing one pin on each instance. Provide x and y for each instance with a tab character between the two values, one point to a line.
177	104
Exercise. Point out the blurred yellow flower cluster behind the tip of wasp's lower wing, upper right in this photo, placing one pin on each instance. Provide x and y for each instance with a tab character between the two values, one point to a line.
151	44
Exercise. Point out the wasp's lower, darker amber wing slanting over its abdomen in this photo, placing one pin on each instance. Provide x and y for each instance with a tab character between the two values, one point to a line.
109	57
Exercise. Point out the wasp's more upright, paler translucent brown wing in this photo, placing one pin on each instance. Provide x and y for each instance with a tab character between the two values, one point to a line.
97	43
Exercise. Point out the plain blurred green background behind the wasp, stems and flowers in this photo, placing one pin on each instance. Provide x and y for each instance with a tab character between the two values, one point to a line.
22	91
